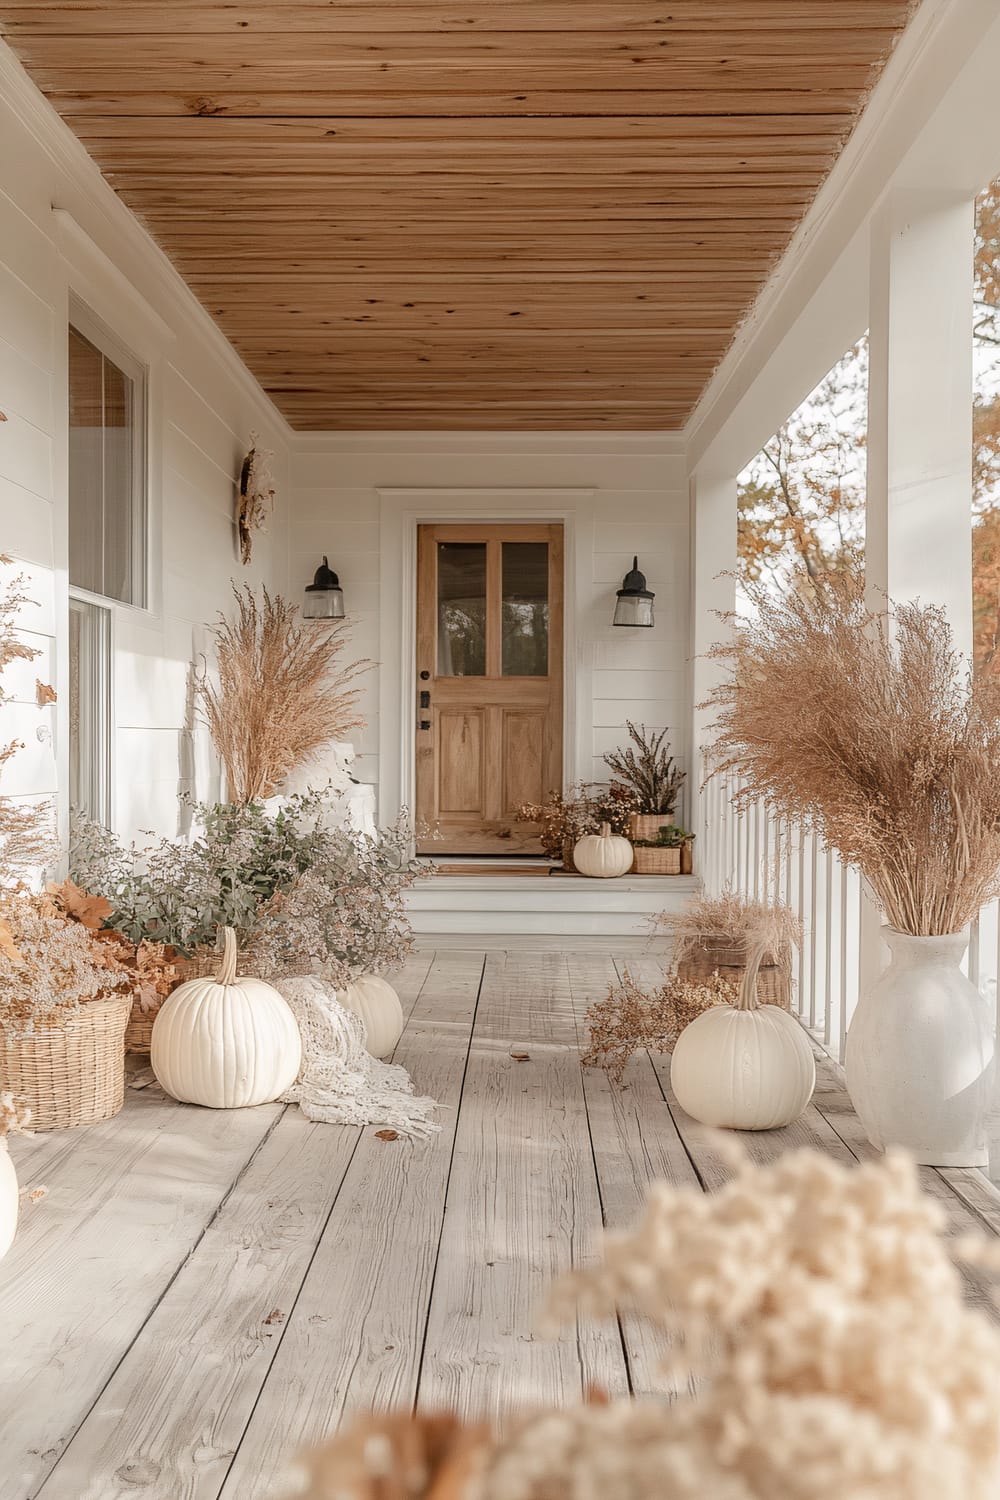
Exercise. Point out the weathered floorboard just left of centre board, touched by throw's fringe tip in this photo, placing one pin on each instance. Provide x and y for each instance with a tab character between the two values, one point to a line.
355	1339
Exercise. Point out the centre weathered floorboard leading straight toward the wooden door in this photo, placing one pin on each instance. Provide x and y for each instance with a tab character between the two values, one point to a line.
522	1208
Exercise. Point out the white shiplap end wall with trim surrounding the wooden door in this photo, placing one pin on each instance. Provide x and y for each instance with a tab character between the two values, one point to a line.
621	494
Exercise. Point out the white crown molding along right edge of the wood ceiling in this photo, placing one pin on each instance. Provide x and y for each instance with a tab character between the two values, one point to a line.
936	44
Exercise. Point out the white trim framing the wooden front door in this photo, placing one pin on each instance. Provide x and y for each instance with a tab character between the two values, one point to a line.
401	512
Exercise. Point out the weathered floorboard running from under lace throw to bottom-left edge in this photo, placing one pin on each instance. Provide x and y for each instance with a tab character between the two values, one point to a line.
172	1417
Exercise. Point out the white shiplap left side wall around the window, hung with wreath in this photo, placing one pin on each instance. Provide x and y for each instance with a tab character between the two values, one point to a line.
203	407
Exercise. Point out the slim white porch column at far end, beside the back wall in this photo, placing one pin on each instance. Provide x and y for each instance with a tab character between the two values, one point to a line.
713	592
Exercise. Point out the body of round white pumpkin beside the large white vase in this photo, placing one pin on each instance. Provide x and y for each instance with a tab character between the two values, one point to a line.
744	1069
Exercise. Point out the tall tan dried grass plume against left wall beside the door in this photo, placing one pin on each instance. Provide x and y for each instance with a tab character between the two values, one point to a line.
278	695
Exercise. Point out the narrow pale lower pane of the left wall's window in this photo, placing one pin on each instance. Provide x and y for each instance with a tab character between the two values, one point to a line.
89	709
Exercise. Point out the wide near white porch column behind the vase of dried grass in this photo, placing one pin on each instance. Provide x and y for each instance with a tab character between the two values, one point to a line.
918	538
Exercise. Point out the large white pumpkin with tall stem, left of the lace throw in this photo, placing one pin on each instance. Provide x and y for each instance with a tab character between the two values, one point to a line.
226	1043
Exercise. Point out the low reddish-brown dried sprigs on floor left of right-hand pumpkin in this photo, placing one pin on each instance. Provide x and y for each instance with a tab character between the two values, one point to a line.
632	1018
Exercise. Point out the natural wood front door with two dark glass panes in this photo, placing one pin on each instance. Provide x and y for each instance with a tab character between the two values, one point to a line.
490	683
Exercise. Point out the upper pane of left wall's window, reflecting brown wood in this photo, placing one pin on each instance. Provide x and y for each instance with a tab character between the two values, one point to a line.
106	529
